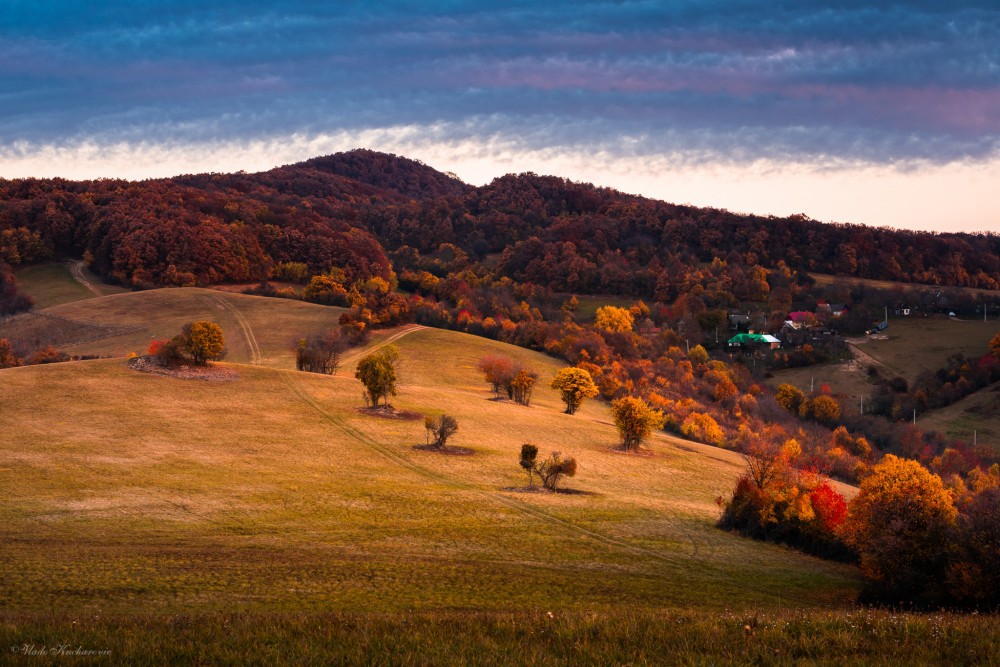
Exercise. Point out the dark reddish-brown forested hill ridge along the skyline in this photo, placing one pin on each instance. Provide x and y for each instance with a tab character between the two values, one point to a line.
352	210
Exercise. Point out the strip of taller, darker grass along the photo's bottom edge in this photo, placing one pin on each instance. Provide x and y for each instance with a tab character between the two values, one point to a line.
635	637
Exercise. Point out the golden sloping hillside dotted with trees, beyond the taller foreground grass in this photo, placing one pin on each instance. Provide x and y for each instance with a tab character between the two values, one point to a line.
274	492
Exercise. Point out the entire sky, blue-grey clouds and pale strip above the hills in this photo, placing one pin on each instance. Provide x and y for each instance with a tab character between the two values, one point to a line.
873	113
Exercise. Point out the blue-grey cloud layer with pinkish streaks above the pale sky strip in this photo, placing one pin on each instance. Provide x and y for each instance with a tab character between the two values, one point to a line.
722	79
